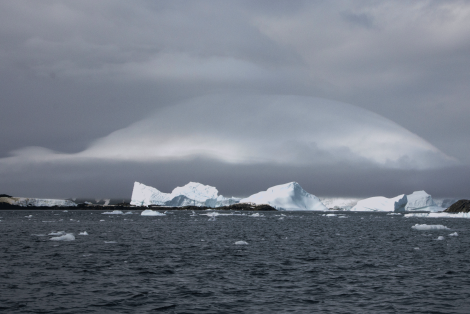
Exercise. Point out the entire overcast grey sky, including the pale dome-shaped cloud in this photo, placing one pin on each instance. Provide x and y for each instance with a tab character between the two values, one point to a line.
348	98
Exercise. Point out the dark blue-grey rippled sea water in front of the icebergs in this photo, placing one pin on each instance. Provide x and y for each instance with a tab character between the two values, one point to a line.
178	263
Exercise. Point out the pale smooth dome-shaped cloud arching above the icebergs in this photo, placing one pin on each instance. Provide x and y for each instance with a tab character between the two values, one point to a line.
254	129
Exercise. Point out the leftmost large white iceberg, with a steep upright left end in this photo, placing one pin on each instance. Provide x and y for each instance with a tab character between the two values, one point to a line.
193	193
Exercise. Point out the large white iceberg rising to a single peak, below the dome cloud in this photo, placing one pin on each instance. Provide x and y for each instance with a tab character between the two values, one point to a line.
289	196
